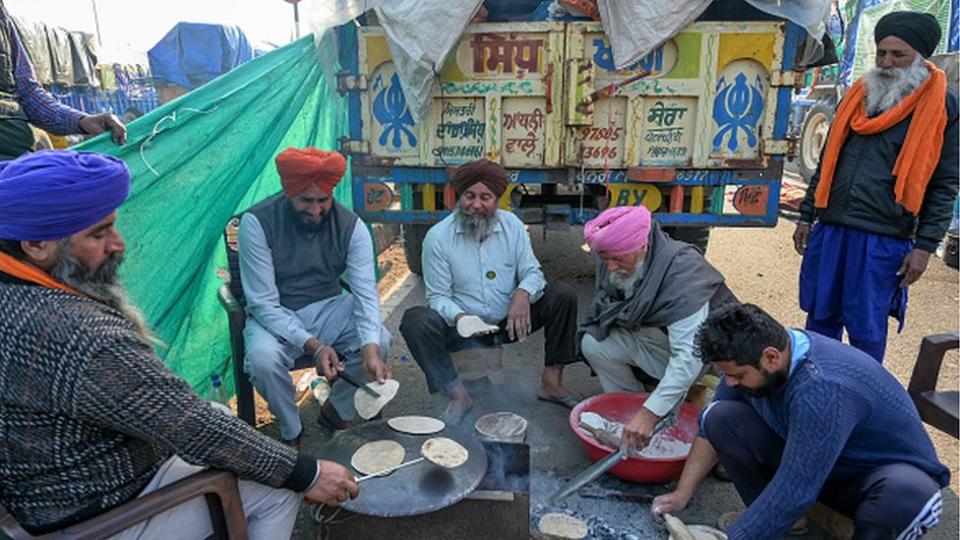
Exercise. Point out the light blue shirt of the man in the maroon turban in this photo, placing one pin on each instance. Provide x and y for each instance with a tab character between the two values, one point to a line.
462	275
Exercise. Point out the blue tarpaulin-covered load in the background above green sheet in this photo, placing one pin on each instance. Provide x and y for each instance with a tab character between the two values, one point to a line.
192	54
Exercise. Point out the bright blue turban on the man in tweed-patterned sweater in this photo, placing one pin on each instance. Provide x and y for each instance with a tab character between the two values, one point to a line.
53	194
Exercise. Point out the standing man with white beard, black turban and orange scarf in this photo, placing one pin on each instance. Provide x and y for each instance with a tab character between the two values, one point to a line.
883	193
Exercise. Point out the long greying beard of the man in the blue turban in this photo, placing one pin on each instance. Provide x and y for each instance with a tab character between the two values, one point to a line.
102	285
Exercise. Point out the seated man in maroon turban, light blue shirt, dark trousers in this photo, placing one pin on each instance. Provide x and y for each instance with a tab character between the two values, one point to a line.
478	262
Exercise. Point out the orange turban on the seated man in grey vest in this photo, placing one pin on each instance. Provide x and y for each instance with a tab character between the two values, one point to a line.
301	168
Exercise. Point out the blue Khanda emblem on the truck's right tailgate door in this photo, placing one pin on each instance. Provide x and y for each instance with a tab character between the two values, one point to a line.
737	107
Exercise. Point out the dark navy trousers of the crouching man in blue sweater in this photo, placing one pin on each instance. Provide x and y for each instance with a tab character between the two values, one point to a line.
882	502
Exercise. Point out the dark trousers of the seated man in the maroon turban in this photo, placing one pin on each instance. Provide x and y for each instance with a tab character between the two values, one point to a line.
431	340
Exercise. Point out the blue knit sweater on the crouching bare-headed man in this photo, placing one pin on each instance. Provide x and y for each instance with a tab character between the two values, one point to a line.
841	414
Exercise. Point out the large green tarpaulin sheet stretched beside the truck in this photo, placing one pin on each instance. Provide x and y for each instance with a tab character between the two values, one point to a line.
196	162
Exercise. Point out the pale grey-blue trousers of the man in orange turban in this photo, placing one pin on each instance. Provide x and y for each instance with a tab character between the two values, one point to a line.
268	360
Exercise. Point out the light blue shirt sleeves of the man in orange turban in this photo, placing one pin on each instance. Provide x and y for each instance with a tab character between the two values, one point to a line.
263	298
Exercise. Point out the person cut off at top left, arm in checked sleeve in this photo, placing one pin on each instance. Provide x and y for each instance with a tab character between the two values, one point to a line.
23	101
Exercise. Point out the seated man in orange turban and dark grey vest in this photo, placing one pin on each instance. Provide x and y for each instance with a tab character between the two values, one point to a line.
293	248
